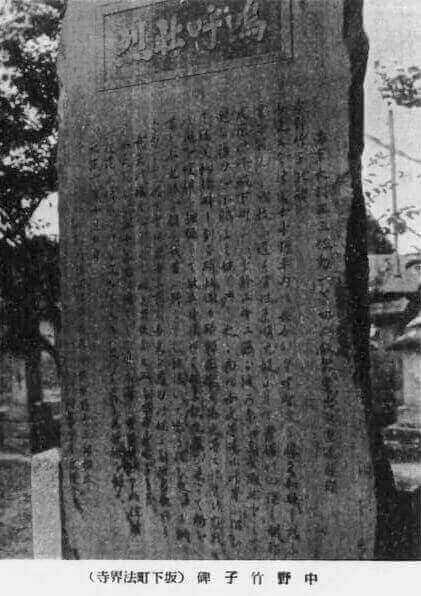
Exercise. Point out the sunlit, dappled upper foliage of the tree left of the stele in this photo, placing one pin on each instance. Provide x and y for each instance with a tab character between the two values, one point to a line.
28	110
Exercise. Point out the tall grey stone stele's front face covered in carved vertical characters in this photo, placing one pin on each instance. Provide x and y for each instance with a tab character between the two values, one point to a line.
214	280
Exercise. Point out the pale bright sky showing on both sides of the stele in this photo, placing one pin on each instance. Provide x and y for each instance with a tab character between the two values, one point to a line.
394	31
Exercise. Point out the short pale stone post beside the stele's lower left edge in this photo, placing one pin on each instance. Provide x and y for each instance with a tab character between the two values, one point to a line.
46	507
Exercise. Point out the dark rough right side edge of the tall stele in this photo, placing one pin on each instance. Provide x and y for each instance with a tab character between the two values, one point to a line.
357	270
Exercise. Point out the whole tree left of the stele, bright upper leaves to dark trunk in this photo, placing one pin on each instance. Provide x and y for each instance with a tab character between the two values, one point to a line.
29	274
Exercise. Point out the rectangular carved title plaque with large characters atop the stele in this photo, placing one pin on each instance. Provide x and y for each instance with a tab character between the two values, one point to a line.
155	41
